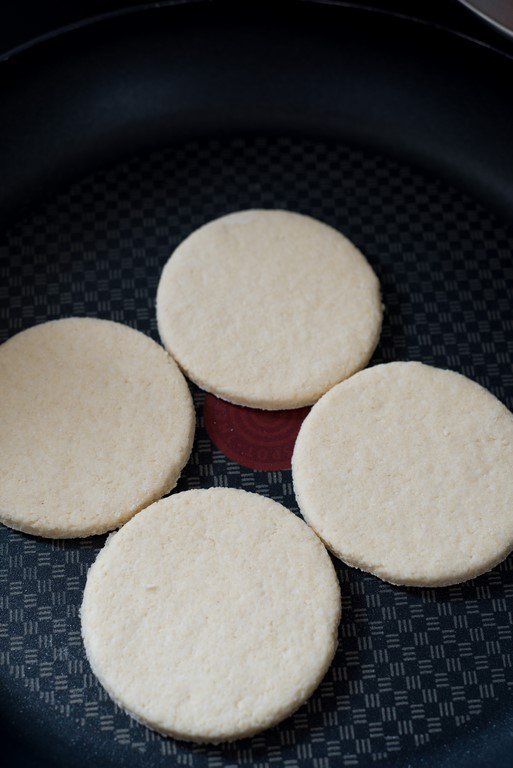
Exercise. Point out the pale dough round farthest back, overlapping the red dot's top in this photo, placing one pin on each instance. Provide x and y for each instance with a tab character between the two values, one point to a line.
268	308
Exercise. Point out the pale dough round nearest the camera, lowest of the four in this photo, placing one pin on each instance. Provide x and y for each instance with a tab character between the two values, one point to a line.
211	615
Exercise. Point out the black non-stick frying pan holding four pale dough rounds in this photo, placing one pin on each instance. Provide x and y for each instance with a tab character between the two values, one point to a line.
119	137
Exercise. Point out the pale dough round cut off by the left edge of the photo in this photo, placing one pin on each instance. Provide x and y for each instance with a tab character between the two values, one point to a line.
96	422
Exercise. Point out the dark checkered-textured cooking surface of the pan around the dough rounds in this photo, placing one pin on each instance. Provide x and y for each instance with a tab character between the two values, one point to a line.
413	666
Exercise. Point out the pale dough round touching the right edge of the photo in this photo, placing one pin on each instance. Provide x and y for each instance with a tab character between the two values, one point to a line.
406	471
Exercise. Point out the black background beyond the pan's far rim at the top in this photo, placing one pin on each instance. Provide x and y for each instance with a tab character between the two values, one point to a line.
23	20
